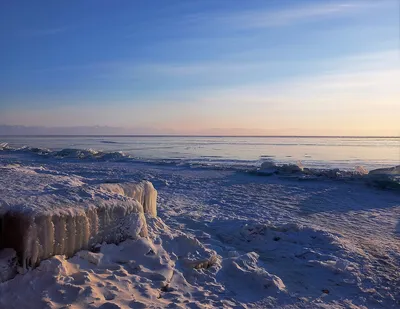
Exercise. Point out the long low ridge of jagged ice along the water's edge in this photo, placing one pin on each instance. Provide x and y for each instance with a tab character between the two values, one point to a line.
387	177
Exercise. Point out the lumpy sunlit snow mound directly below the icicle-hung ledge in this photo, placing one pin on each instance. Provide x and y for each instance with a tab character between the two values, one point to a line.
142	273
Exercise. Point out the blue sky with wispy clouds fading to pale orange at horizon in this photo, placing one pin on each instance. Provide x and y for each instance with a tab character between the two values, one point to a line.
312	67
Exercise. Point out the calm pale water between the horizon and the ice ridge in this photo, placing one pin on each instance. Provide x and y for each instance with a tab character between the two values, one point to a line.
319	152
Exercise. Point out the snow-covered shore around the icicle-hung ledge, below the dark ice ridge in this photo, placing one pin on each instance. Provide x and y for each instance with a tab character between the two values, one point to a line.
220	239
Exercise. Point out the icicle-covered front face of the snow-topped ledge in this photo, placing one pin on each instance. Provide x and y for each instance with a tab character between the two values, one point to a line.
37	236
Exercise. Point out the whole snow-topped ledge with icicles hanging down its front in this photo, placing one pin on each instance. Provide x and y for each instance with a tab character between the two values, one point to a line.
43	213
